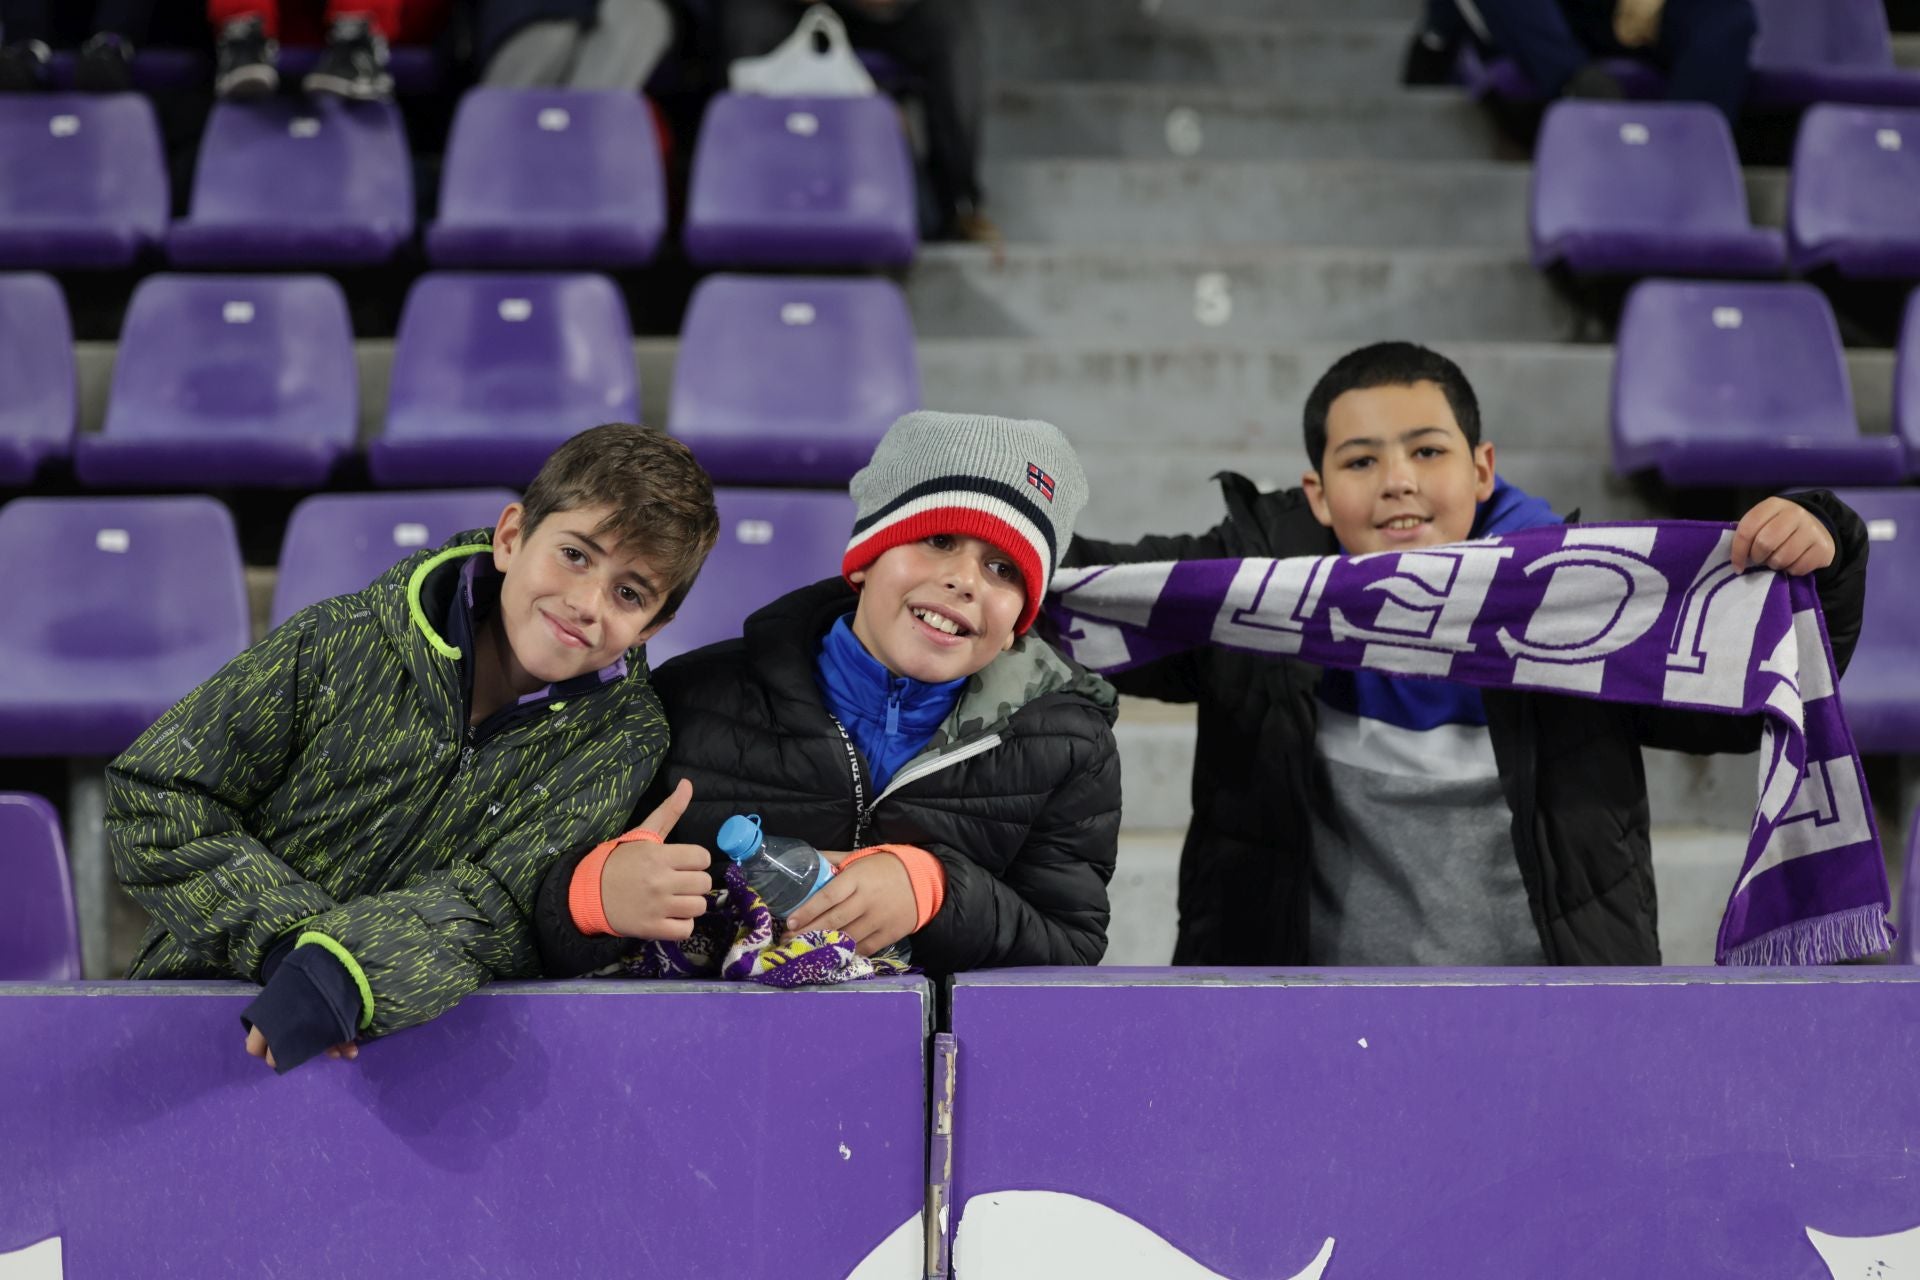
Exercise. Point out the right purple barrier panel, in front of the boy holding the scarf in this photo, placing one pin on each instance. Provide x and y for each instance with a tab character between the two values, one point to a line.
1356	1126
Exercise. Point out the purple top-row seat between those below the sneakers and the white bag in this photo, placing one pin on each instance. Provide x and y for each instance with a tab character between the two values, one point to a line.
550	178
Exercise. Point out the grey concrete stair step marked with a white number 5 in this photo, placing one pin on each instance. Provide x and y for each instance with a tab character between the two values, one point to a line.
1140	295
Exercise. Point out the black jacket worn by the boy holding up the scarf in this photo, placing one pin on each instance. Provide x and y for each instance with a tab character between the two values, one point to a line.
1570	767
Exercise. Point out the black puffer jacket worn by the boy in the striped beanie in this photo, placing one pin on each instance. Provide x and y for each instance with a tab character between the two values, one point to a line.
1017	794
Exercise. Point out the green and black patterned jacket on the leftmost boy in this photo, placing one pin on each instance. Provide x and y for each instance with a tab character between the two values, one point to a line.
325	782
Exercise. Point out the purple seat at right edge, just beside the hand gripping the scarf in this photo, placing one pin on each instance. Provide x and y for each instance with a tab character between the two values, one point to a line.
1881	690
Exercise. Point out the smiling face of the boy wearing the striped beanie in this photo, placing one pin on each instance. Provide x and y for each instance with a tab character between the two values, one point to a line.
940	609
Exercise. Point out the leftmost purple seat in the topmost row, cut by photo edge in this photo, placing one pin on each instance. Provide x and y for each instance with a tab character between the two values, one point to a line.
84	181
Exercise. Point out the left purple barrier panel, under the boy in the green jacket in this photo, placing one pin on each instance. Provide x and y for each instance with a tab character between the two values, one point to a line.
610	1129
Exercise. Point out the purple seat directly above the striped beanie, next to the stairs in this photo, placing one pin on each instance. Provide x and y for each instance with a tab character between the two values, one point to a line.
792	379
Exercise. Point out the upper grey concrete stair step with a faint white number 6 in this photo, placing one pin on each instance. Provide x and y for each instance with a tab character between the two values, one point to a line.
1203	122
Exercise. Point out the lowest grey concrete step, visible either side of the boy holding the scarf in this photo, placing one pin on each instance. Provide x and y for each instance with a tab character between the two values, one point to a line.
1692	872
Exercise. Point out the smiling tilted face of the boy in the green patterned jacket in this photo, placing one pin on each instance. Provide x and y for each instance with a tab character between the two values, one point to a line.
573	600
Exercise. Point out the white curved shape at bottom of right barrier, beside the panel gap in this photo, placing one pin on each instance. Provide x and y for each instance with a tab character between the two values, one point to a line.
1049	1235
